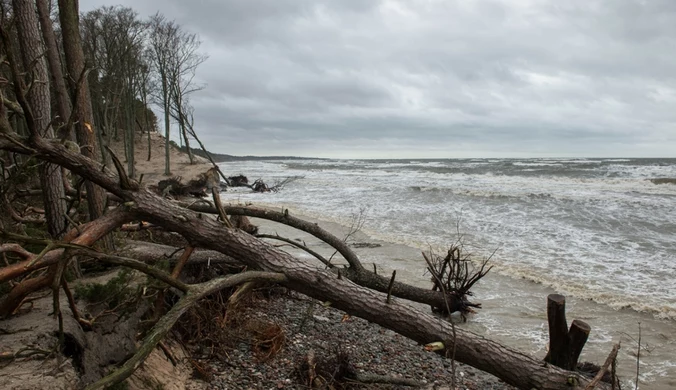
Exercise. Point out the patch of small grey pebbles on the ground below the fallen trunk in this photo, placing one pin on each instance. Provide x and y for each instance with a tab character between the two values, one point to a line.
371	349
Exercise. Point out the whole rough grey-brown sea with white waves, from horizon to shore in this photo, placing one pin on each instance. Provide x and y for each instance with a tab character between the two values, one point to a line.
599	231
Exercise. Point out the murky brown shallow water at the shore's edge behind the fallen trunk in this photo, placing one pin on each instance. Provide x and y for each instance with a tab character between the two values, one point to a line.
504	318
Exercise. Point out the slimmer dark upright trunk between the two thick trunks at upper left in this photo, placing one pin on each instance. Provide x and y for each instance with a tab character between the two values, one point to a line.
54	60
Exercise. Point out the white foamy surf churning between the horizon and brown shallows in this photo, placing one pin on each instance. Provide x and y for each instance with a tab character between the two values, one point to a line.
594	226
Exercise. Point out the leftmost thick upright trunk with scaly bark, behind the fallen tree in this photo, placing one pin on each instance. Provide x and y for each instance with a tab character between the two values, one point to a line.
39	99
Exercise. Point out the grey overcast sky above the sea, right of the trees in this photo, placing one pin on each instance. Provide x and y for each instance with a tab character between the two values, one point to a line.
432	78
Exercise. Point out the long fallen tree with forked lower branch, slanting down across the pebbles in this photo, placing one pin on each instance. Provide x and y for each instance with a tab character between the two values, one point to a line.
360	297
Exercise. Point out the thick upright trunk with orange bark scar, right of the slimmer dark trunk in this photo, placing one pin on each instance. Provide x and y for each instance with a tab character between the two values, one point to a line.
84	128
